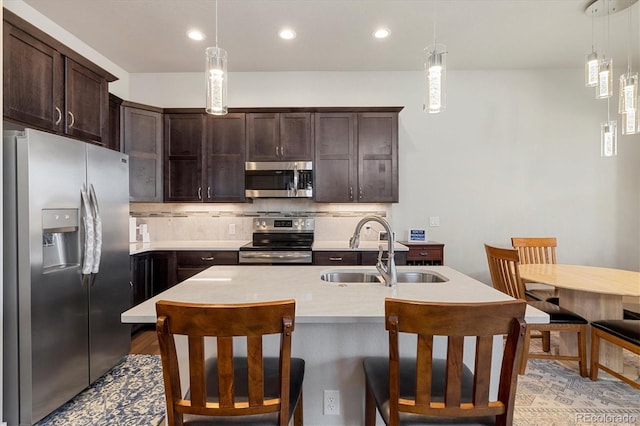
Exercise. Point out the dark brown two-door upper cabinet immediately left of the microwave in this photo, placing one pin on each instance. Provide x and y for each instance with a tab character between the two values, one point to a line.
204	157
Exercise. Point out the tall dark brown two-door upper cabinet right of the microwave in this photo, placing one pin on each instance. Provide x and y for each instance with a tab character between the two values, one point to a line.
356	156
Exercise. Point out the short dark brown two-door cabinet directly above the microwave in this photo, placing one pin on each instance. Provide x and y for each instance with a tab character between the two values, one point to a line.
279	136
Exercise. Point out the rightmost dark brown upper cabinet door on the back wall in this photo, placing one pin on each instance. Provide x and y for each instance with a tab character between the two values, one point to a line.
378	157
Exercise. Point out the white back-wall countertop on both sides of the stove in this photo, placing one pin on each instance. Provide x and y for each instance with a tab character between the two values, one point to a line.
137	248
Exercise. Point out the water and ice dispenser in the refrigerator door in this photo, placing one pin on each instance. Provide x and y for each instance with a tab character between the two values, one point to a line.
60	239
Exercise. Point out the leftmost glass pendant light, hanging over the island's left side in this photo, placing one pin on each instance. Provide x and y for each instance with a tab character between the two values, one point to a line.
216	77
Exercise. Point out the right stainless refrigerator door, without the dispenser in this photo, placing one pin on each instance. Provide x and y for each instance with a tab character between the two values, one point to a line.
110	290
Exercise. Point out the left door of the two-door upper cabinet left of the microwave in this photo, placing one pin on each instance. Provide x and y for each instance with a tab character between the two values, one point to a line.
183	136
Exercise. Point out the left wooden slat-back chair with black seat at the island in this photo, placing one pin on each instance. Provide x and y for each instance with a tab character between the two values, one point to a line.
228	389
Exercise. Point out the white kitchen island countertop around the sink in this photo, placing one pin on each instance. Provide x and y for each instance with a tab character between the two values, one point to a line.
318	301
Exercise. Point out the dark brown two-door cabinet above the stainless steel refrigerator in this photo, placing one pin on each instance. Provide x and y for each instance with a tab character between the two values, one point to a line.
50	87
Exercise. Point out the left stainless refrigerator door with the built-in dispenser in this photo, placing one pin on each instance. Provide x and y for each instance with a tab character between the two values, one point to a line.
52	302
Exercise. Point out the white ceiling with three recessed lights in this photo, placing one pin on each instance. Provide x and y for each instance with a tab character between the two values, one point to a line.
335	35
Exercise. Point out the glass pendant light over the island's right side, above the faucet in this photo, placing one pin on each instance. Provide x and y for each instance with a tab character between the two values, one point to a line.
435	70
